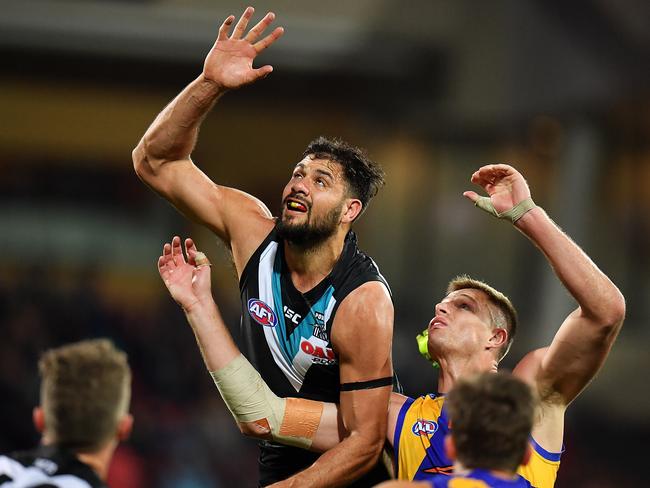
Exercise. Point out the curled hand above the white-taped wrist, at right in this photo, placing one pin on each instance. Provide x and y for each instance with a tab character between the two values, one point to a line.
505	186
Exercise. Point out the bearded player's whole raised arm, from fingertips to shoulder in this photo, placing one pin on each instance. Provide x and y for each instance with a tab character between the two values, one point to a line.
162	157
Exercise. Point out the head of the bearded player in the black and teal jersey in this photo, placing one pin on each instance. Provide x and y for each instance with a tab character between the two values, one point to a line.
329	188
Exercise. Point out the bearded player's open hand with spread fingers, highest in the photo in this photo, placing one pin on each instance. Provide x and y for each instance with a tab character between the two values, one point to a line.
230	61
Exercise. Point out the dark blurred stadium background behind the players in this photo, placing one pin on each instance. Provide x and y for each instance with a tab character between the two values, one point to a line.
433	89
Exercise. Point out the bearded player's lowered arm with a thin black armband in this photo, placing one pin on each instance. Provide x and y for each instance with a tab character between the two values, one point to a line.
362	336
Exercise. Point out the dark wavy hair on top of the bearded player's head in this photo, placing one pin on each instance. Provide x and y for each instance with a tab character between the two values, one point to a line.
364	177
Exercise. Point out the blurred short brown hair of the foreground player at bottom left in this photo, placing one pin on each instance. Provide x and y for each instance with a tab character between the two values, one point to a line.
85	391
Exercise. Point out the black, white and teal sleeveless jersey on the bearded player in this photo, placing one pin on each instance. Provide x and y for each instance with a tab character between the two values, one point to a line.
287	335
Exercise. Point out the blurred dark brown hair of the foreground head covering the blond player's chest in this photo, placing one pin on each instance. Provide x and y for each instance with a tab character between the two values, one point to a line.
491	418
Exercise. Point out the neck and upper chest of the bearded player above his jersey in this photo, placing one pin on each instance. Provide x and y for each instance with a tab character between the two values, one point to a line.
308	267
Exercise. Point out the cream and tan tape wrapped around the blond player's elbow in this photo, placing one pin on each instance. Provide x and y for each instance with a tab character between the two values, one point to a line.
292	421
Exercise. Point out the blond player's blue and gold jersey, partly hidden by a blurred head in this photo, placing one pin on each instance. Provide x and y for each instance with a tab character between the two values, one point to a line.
420	431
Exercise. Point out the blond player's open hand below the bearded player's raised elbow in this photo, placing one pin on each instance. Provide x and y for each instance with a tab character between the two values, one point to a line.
187	279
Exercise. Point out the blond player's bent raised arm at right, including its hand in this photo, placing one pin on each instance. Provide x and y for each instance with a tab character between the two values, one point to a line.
584	339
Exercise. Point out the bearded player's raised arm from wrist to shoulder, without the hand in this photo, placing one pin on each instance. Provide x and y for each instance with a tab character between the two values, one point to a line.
162	161
